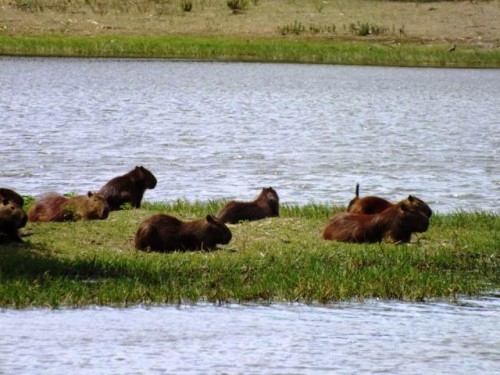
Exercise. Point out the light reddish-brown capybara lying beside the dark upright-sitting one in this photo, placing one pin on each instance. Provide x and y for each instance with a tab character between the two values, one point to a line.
56	207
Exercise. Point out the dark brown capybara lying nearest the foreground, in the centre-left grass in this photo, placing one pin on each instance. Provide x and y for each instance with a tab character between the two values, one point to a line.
166	233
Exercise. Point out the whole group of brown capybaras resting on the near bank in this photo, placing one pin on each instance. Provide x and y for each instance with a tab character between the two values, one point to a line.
367	219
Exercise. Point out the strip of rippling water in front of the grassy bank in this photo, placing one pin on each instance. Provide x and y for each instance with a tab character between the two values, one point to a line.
368	337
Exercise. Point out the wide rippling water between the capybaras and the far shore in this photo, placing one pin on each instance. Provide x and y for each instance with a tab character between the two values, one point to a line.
224	130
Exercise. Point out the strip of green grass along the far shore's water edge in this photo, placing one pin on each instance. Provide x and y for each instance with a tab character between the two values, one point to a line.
269	50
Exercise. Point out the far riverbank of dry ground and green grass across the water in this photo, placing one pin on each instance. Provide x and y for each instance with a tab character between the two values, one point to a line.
454	34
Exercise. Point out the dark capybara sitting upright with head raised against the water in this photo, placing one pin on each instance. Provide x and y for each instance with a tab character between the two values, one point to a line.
128	188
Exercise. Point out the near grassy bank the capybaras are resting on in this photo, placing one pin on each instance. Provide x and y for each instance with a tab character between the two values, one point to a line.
279	259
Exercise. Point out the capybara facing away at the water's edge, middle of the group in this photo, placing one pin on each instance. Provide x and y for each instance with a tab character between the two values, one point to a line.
267	204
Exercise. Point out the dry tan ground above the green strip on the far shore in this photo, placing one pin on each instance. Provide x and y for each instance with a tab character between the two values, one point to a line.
450	21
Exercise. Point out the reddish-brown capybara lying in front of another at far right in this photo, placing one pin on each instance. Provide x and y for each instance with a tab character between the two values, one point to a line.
394	224
